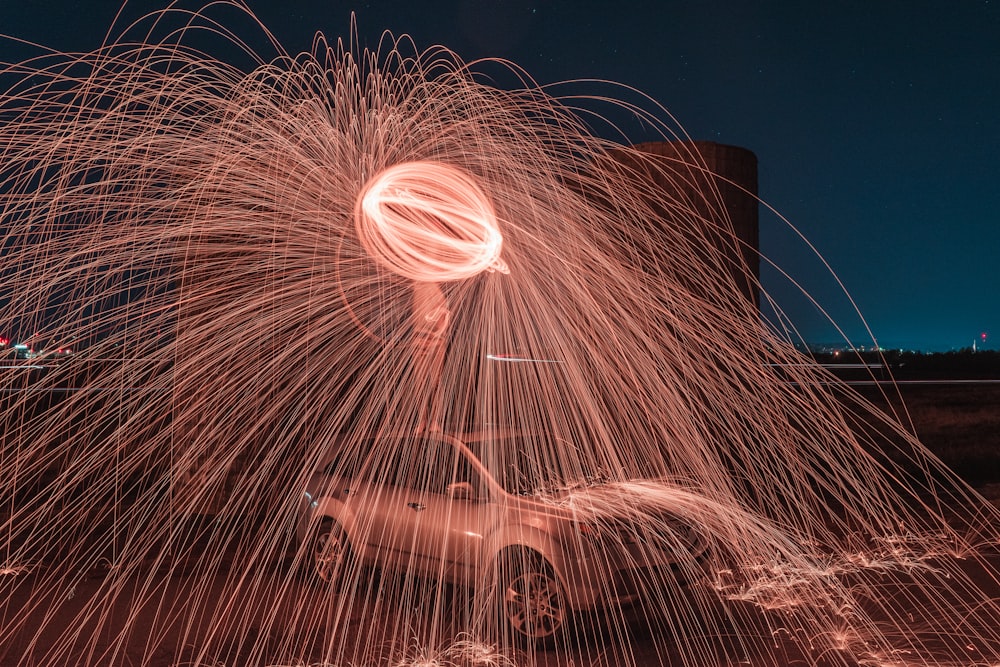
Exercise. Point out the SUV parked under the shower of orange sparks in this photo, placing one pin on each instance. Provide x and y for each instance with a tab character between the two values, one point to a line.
491	512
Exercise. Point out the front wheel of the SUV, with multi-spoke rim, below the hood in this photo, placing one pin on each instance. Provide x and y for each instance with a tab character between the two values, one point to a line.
532	602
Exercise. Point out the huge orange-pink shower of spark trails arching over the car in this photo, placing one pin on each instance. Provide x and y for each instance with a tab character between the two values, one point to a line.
236	257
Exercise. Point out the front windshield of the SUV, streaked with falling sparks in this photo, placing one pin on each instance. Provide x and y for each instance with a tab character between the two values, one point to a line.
532	465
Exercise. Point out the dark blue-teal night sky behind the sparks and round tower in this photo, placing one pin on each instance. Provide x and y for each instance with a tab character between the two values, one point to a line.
875	124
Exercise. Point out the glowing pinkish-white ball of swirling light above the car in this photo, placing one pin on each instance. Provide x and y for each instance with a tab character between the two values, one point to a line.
430	222
